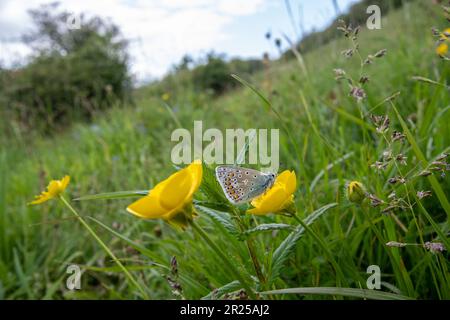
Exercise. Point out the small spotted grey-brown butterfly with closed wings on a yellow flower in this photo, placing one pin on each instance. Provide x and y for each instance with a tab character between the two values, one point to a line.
242	184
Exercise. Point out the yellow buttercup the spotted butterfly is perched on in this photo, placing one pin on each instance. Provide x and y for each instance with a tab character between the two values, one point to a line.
279	198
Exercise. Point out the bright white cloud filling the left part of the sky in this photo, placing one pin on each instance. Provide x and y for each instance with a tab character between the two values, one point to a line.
160	31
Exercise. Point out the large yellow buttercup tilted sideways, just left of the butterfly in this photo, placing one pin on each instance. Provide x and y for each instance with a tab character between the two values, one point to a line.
171	199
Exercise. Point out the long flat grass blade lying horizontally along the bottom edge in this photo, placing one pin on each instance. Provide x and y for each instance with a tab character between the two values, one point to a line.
347	292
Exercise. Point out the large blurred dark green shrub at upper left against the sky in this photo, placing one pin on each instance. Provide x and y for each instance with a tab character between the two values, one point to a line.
72	73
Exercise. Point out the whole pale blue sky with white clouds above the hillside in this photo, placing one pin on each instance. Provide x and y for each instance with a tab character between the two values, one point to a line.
162	31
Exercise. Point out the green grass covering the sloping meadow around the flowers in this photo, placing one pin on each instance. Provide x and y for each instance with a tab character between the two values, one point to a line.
323	138
